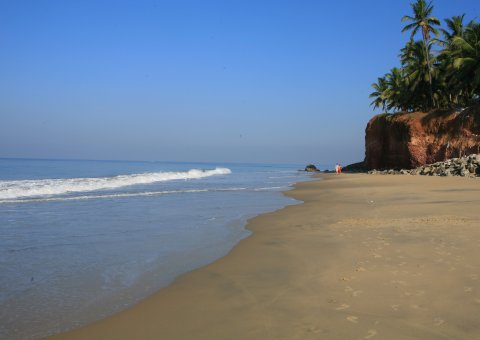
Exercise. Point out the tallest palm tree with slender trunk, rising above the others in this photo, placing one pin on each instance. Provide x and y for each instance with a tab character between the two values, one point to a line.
422	20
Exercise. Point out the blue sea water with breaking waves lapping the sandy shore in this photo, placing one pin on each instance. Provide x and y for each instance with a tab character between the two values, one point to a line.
81	240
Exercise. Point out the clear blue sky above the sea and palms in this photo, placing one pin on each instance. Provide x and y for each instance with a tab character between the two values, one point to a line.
213	81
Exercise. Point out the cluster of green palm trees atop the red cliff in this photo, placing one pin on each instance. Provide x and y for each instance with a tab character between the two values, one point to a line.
434	73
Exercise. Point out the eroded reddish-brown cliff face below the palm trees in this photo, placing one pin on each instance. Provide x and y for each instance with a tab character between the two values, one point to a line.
412	139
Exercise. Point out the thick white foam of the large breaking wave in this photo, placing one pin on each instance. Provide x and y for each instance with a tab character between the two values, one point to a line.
48	187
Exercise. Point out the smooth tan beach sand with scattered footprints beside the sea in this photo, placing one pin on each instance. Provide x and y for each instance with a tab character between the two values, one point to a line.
366	256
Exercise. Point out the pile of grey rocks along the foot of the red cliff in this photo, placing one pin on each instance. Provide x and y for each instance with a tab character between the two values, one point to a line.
467	166
